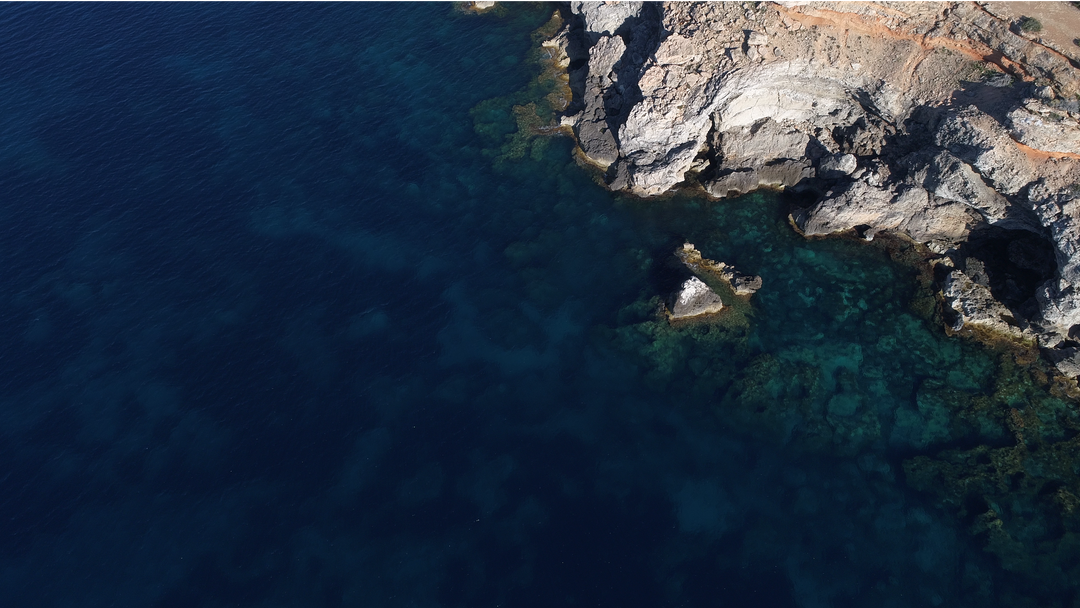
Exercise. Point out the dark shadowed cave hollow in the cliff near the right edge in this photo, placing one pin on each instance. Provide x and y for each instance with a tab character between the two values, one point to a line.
1012	264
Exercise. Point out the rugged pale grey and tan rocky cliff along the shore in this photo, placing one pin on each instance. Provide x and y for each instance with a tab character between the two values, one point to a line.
934	120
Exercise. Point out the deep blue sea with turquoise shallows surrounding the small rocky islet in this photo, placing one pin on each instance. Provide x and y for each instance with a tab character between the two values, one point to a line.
277	330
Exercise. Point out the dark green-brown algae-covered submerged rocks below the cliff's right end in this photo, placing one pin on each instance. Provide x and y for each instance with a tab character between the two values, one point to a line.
1017	492
